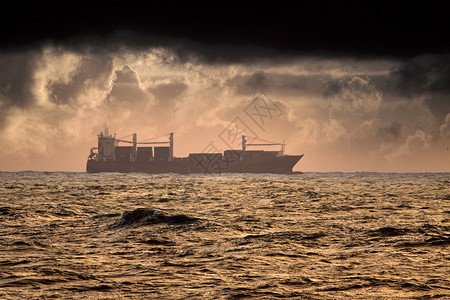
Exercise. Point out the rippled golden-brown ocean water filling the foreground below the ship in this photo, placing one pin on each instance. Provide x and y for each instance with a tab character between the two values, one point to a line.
303	236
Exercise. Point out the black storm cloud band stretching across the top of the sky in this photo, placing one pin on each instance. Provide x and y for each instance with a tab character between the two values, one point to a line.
313	27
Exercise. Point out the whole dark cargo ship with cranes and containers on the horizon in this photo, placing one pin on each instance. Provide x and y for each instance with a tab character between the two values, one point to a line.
108	156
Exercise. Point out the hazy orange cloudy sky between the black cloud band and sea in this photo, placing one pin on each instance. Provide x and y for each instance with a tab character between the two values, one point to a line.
344	114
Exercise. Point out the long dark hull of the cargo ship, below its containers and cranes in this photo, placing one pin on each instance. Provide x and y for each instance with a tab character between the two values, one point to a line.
277	165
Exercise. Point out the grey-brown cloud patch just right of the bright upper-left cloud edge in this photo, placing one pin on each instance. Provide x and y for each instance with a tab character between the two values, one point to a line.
93	70
